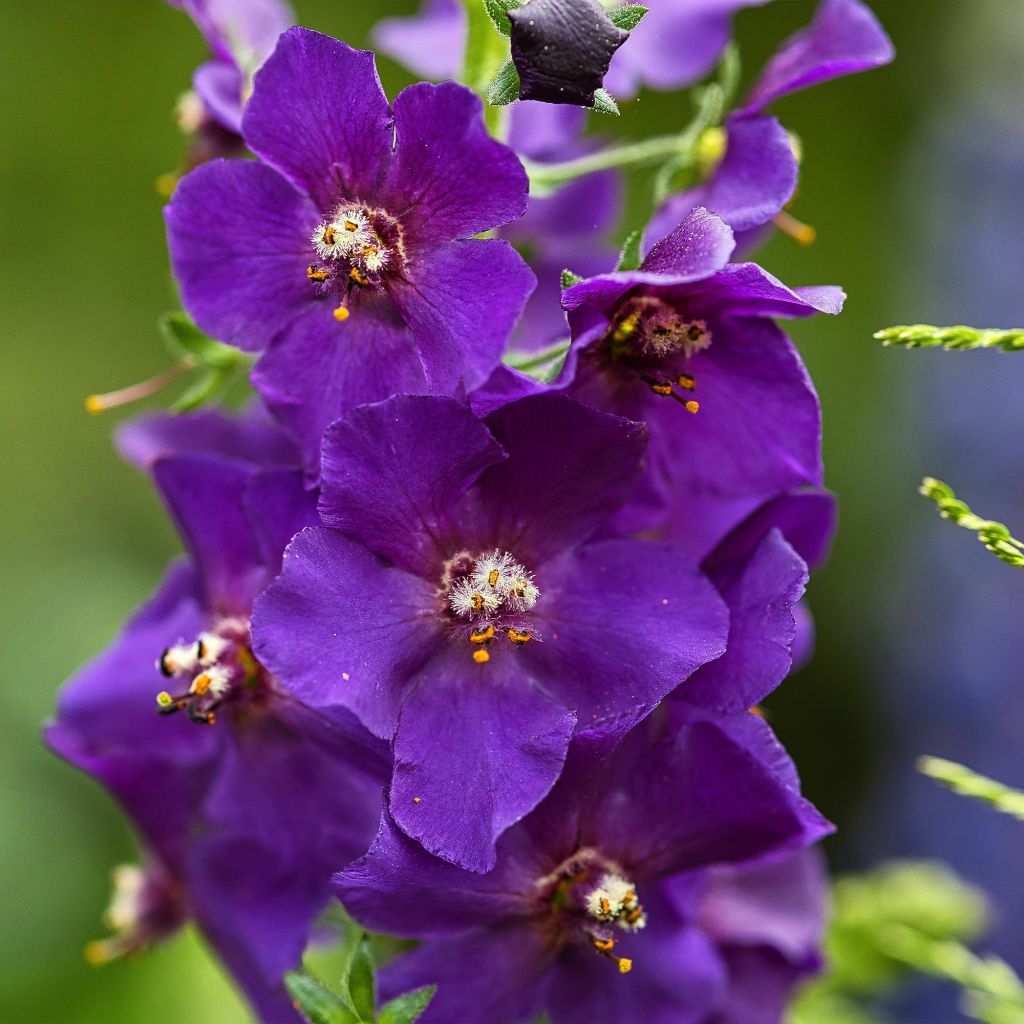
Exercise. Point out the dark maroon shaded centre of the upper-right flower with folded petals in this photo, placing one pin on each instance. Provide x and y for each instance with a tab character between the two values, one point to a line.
653	340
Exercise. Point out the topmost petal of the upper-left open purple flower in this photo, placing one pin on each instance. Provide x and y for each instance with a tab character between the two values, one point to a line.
320	116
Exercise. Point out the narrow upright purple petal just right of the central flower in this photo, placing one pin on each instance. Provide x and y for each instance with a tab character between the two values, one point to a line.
761	630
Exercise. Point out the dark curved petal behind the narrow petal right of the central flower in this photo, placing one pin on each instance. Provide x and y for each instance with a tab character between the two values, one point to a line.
806	520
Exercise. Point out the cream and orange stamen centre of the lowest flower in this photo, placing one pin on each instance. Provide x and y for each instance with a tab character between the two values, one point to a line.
598	903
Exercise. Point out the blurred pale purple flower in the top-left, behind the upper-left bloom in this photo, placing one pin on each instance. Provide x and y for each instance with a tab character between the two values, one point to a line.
241	35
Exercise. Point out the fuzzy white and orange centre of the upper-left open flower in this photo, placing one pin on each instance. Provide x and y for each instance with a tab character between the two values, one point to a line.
354	248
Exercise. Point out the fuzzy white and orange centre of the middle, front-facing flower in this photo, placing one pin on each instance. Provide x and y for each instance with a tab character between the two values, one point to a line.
490	596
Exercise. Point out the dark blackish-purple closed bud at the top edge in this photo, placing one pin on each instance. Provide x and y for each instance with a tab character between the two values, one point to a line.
563	50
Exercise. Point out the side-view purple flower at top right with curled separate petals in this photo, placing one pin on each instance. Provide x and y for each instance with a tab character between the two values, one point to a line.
755	174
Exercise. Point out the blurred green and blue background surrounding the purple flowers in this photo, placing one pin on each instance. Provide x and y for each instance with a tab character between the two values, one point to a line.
914	178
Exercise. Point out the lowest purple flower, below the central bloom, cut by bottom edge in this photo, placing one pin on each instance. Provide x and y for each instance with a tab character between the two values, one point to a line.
601	909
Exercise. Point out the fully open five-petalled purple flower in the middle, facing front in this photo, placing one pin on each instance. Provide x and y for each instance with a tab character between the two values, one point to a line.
454	604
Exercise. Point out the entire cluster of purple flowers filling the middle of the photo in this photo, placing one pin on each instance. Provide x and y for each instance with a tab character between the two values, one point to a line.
478	654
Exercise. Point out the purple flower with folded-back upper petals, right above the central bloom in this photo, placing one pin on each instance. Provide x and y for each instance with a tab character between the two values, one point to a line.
687	345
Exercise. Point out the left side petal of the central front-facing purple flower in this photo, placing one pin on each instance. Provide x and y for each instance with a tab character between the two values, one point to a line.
342	628
